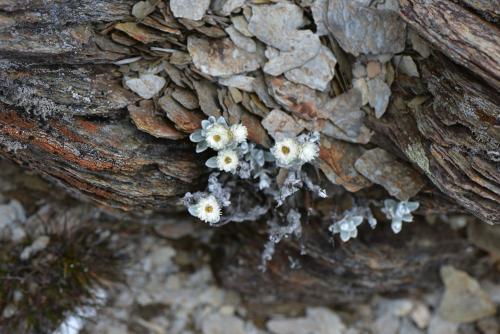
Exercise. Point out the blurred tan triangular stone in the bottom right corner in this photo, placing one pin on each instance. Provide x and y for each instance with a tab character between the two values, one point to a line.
463	300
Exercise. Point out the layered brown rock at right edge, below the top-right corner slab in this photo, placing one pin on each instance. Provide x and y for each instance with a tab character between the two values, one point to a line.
454	138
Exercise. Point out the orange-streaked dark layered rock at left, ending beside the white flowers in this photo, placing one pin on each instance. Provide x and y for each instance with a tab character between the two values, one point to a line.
110	162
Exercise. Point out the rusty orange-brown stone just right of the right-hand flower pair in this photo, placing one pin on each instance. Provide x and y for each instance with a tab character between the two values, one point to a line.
337	162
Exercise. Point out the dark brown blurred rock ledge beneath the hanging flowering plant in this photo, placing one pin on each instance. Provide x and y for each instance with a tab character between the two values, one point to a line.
316	272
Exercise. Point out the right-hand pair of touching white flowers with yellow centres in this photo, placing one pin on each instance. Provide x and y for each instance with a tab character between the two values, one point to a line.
291	152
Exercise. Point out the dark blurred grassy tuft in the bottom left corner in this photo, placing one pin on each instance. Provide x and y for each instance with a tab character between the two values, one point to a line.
44	279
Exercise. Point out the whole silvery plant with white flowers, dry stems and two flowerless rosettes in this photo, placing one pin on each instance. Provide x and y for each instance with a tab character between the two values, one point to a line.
248	181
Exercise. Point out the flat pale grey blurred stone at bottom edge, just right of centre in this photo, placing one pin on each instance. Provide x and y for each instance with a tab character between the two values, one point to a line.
318	321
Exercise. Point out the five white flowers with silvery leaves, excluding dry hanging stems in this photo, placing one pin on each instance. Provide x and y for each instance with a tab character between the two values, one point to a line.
248	162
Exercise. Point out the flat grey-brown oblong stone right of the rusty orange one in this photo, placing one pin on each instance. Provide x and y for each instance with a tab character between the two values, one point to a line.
381	167
